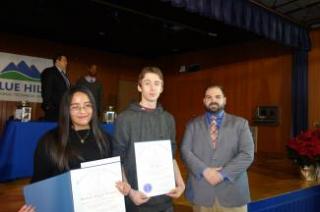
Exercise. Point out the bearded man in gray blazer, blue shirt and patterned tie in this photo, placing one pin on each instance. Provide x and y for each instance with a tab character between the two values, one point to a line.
217	149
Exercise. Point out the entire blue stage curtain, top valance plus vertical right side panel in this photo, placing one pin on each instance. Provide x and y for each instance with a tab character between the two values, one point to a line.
246	15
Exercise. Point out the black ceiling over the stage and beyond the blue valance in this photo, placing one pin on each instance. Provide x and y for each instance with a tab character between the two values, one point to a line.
143	28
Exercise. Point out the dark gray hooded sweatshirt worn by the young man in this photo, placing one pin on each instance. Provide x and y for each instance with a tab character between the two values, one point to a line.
137	124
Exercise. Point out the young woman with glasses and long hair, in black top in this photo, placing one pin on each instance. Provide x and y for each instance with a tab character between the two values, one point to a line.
78	138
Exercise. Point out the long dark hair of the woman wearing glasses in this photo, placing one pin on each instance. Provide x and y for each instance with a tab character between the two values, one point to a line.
60	150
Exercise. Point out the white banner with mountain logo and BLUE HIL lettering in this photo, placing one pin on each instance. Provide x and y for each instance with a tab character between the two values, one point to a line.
20	77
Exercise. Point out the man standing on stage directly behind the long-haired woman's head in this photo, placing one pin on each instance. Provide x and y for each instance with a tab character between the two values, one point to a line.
94	85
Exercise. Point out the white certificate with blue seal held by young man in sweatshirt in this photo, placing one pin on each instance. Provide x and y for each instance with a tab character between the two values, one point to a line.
154	163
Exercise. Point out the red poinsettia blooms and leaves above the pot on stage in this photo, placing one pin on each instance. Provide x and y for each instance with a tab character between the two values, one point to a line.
304	149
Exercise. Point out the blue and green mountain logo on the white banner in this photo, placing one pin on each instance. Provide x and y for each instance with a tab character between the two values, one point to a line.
20	72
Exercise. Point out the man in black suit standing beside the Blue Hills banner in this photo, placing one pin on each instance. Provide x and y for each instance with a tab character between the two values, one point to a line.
54	82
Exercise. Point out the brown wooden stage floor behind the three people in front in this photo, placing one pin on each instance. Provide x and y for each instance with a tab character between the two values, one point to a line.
267	177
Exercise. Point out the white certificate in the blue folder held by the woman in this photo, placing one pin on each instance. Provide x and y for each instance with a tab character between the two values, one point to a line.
95	186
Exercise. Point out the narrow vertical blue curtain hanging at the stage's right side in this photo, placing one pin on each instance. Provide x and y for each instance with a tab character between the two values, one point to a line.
300	92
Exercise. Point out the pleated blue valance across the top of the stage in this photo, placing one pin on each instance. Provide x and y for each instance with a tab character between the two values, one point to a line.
246	15
